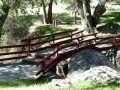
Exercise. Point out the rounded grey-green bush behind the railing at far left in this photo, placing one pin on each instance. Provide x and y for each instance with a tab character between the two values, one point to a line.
14	29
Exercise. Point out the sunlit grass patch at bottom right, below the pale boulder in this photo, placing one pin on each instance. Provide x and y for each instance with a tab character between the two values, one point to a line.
115	85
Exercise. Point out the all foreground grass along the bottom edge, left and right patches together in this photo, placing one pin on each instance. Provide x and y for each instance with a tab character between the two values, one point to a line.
31	84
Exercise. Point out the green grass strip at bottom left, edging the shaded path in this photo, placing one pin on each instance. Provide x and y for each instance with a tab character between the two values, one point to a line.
22	83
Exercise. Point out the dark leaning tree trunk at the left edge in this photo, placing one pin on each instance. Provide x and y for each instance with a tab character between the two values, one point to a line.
3	17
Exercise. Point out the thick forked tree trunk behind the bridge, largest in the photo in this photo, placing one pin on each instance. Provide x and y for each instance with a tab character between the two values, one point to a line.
87	20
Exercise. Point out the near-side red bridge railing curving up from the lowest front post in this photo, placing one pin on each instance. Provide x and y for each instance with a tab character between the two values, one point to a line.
76	46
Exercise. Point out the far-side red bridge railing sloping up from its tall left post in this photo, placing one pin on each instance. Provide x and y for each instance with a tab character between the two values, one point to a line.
45	41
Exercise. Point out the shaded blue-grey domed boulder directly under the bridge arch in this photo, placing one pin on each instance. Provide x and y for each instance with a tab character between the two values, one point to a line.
86	59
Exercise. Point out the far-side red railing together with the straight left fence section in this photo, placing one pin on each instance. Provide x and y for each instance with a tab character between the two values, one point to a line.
17	52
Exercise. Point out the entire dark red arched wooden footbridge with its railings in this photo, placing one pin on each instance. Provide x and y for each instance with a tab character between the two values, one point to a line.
46	51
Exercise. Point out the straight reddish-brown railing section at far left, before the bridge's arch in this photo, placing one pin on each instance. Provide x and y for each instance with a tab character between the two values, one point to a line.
13	52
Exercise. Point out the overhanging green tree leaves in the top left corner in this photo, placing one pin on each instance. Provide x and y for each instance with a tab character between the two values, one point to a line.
21	5
